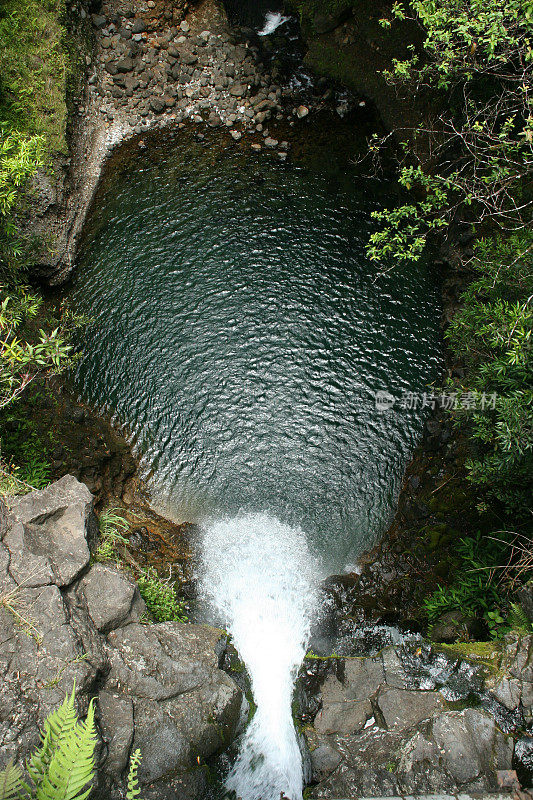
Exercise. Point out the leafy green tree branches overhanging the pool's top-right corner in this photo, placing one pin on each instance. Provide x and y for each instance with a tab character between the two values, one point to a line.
478	60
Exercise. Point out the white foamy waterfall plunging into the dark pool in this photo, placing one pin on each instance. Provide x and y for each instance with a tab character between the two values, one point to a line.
258	573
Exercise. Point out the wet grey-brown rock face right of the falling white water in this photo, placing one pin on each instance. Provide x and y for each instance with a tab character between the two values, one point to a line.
382	730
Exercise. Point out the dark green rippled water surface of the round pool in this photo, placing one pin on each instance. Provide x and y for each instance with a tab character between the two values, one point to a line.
240	333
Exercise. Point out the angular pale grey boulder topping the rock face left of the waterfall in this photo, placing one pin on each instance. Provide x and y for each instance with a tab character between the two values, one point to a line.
57	524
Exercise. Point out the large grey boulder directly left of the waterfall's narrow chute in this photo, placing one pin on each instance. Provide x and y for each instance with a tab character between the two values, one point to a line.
171	671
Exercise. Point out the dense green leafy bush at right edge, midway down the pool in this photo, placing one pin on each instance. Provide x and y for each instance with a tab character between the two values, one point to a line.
493	334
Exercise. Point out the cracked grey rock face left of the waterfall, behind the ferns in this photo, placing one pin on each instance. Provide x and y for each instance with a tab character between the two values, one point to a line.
158	687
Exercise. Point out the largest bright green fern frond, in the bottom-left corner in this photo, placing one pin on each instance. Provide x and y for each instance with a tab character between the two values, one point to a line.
71	766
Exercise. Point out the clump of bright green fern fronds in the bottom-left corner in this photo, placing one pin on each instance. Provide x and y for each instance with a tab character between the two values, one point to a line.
62	767
